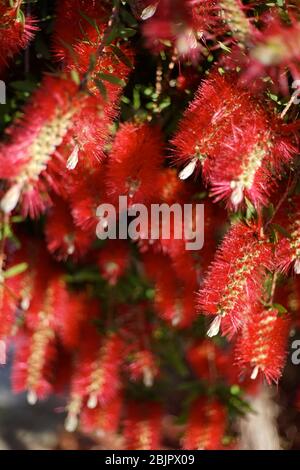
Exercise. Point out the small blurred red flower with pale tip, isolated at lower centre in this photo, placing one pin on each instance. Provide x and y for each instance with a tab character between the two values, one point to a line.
143	367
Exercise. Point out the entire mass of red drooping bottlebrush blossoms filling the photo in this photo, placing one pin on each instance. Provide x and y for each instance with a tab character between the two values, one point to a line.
127	328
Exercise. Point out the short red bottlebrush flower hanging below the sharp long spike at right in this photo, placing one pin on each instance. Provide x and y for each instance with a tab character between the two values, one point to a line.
262	345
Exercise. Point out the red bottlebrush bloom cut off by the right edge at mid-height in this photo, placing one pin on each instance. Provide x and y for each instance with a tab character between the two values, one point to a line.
288	248
